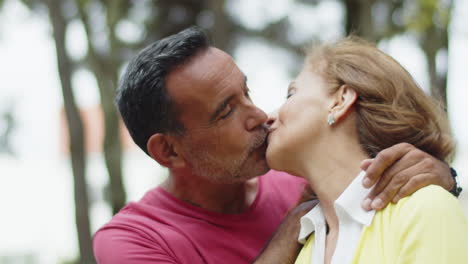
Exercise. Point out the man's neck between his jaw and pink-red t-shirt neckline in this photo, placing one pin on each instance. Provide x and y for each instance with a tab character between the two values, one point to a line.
220	198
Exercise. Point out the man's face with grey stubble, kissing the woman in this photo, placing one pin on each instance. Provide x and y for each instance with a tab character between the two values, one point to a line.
224	139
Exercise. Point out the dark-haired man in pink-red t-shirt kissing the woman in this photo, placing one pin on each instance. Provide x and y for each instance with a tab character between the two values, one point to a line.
187	105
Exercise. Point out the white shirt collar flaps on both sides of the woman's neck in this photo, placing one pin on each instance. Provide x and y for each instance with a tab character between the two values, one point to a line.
349	202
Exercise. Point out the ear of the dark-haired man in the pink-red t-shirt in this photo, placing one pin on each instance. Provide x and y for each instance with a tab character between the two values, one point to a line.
162	149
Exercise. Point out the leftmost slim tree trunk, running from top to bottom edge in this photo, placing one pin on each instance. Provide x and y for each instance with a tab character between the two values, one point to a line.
75	129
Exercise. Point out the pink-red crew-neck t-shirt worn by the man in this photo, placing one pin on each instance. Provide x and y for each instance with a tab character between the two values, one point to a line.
163	229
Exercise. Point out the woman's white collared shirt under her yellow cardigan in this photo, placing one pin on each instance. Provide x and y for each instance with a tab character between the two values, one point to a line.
351	219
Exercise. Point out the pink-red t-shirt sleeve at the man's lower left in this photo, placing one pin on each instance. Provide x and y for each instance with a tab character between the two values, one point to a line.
119	245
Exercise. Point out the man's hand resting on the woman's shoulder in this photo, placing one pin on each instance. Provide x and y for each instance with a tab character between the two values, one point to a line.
399	171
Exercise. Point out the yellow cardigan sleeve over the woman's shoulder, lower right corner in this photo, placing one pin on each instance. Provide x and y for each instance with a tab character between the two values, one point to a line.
432	229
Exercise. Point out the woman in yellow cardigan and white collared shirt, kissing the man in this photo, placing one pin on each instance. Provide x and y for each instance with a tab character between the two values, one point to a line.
349	102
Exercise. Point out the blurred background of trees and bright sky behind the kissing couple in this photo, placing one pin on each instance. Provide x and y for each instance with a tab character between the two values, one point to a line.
66	162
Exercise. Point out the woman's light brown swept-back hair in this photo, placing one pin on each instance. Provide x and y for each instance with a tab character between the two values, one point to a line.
390	108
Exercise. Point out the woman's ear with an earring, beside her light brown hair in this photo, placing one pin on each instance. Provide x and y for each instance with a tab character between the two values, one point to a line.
344	99
